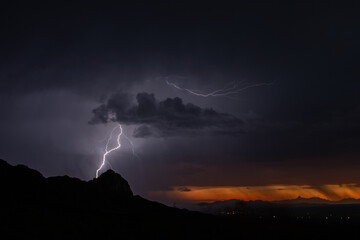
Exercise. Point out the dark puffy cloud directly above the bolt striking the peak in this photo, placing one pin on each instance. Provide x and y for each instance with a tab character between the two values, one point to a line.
164	118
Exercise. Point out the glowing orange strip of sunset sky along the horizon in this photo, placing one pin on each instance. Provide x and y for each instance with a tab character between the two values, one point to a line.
265	193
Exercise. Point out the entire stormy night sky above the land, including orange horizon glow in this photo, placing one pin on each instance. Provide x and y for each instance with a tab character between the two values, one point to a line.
70	73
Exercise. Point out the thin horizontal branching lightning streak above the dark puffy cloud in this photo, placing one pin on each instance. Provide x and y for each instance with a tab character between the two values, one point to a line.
228	89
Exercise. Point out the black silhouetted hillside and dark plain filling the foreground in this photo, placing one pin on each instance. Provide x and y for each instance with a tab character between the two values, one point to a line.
35	207
